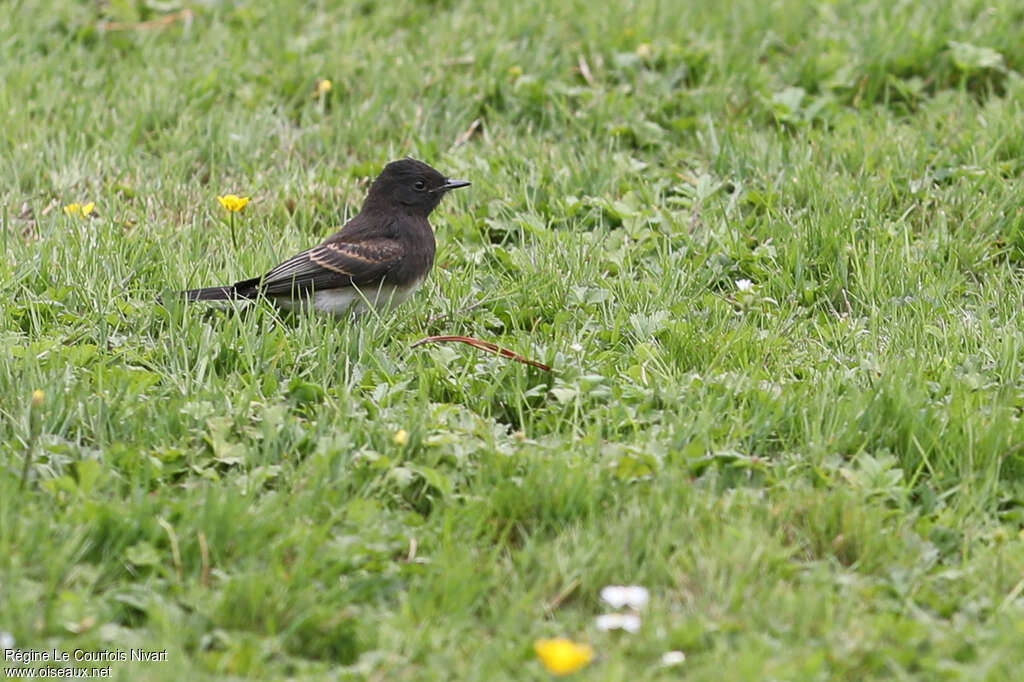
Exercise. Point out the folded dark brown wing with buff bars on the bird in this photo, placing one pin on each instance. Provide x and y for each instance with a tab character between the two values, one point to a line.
334	265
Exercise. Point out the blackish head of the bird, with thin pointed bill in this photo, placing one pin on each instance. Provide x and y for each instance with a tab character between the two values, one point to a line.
410	185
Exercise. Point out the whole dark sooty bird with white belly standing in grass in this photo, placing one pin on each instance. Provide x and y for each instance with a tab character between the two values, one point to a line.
380	258
